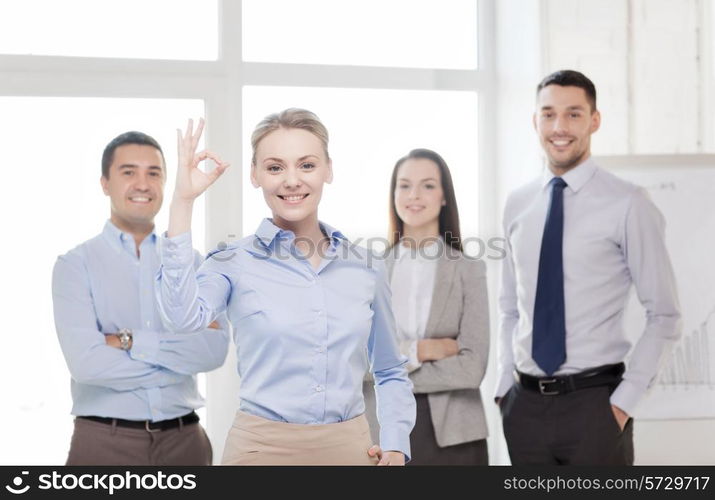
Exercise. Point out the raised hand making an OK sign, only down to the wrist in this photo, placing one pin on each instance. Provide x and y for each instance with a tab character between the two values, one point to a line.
191	181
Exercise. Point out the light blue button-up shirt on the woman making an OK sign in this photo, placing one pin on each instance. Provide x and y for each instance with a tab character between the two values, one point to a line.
305	336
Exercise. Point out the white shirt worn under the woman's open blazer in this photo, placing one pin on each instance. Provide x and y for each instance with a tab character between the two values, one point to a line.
412	286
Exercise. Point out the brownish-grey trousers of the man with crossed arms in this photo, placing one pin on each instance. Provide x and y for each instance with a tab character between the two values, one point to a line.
95	443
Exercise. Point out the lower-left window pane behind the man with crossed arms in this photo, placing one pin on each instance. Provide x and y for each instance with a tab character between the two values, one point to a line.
53	201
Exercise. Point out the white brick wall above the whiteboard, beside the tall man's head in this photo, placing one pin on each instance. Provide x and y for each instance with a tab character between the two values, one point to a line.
651	61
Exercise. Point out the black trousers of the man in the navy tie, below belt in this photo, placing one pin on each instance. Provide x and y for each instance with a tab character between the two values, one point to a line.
577	428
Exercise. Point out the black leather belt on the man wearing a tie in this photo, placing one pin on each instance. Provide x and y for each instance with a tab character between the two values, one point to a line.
561	384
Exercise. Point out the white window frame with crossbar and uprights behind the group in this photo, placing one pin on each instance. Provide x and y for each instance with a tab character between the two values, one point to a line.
219	83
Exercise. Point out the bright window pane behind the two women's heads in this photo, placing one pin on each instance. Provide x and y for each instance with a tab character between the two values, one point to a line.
369	131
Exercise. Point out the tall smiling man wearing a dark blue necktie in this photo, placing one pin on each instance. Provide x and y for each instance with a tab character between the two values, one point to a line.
577	239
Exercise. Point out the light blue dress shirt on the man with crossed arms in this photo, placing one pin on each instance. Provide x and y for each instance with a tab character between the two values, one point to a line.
102	286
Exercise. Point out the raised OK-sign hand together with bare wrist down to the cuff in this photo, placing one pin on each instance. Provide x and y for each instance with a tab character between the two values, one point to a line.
191	181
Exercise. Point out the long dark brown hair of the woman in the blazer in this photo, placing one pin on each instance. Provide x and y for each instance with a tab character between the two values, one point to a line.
448	215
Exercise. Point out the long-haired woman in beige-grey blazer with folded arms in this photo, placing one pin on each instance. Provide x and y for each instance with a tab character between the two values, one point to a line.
439	298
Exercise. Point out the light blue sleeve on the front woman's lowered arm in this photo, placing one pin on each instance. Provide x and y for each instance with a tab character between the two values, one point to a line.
393	389
